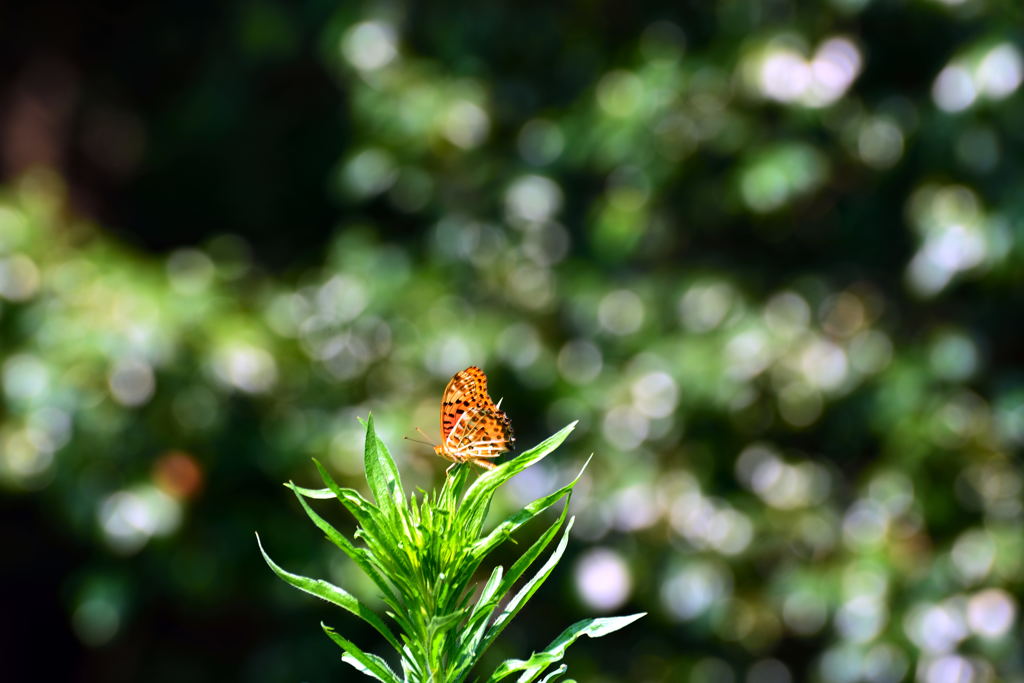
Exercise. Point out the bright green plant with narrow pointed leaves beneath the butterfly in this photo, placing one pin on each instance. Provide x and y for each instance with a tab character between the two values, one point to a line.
423	554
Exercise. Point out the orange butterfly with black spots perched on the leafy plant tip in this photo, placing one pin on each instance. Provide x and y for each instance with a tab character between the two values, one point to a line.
474	428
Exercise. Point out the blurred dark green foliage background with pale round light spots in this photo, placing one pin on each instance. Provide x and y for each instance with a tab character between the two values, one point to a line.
771	255
